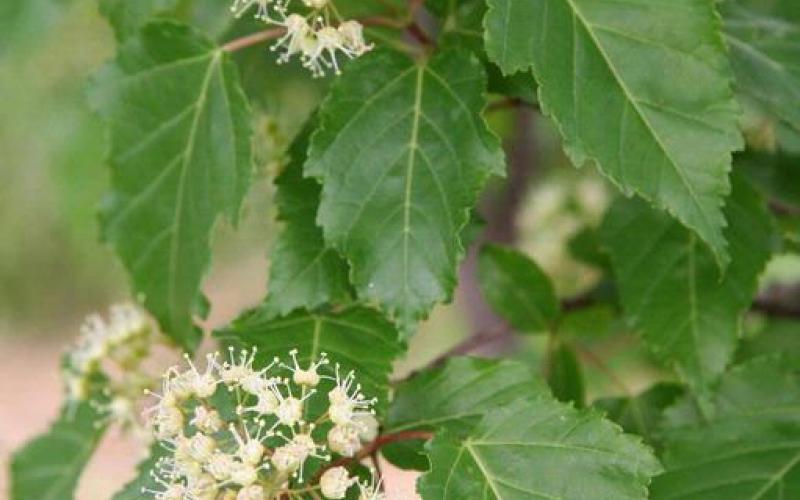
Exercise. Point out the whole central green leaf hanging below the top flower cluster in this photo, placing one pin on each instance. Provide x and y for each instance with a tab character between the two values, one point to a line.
402	152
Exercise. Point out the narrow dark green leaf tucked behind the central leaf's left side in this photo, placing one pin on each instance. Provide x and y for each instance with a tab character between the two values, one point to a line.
304	273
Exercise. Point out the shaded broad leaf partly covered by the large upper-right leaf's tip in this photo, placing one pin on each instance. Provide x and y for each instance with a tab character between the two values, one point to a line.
671	288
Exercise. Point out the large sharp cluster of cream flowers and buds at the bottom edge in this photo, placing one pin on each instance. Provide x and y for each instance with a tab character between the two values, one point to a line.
235	431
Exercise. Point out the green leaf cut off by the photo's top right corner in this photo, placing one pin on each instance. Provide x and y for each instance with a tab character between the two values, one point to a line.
764	54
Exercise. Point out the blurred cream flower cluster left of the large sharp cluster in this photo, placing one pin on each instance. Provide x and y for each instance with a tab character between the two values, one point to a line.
117	348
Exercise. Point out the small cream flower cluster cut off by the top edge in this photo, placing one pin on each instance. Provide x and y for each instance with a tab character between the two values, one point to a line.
309	35
